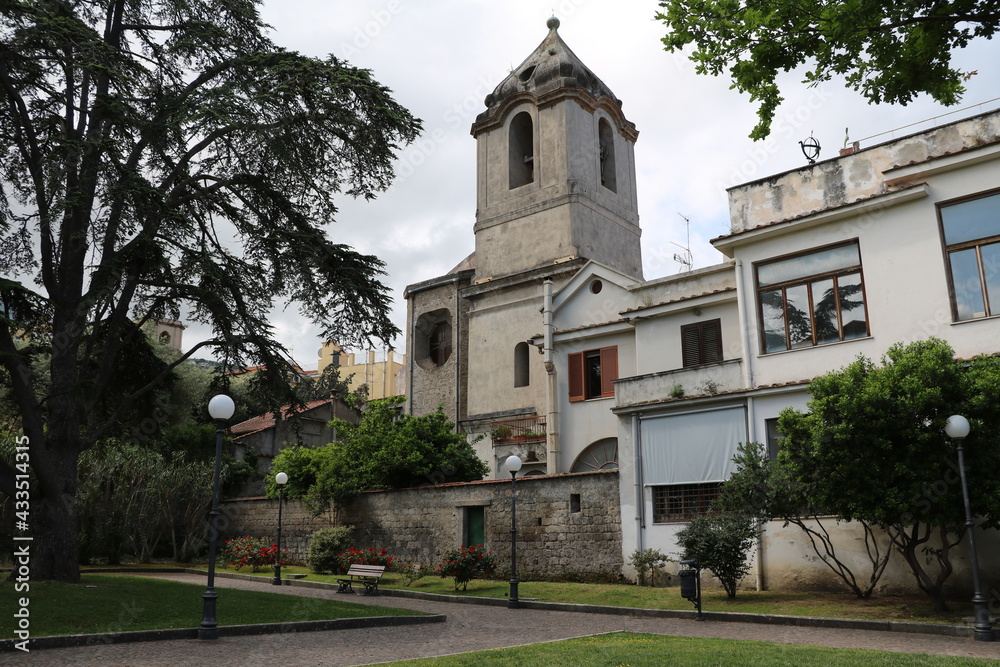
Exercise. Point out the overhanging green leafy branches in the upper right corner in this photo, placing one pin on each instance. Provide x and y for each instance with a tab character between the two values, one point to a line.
888	51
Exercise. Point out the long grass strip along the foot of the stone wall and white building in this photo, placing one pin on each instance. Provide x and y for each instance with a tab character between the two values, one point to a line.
794	603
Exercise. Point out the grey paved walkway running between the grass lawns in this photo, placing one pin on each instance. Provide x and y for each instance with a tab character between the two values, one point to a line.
469	627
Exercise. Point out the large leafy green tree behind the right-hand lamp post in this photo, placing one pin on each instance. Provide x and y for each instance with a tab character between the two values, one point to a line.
873	448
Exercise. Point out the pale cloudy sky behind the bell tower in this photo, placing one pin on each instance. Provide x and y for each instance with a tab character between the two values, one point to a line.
442	57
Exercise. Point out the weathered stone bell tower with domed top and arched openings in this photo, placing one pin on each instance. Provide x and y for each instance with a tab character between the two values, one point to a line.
555	169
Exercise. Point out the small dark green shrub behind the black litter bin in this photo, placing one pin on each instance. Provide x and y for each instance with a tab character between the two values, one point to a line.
721	541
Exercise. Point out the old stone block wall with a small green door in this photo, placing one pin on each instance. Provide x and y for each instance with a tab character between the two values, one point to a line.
568	526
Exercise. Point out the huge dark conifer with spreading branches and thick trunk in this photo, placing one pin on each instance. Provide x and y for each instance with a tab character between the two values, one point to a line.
161	157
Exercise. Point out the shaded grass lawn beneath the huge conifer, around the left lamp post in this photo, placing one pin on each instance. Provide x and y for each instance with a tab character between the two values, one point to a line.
117	603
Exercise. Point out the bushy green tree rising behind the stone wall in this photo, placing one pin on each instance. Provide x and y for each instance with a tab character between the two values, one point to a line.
385	450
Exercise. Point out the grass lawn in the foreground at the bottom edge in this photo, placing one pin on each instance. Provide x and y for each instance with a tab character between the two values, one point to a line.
640	650
